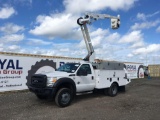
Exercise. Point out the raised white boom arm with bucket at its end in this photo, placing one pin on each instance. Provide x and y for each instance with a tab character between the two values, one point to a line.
88	19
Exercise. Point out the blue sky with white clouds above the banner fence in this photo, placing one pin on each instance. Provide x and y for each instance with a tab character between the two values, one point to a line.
49	27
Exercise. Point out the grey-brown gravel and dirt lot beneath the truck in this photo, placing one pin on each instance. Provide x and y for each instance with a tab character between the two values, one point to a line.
141	101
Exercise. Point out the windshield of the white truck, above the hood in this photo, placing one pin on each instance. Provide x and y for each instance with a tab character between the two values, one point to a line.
69	67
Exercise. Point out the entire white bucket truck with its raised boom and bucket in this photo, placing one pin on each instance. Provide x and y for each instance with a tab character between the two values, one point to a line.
89	75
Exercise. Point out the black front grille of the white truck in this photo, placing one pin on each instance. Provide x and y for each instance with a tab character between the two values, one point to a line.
39	80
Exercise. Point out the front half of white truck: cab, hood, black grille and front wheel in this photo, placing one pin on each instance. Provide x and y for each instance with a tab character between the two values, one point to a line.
70	77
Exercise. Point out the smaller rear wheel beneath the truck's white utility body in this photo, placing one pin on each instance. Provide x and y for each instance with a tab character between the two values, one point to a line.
113	90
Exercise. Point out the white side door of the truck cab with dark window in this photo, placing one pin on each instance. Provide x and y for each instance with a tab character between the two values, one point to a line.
85	80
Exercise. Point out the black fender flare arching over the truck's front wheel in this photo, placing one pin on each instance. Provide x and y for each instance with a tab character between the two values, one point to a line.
65	80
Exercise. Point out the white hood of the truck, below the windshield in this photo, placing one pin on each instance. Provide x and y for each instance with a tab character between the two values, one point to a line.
57	74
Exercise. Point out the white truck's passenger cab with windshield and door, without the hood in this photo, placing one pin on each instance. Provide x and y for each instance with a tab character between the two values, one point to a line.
81	74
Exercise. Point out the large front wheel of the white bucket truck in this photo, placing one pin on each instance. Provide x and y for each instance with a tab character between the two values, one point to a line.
63	97
